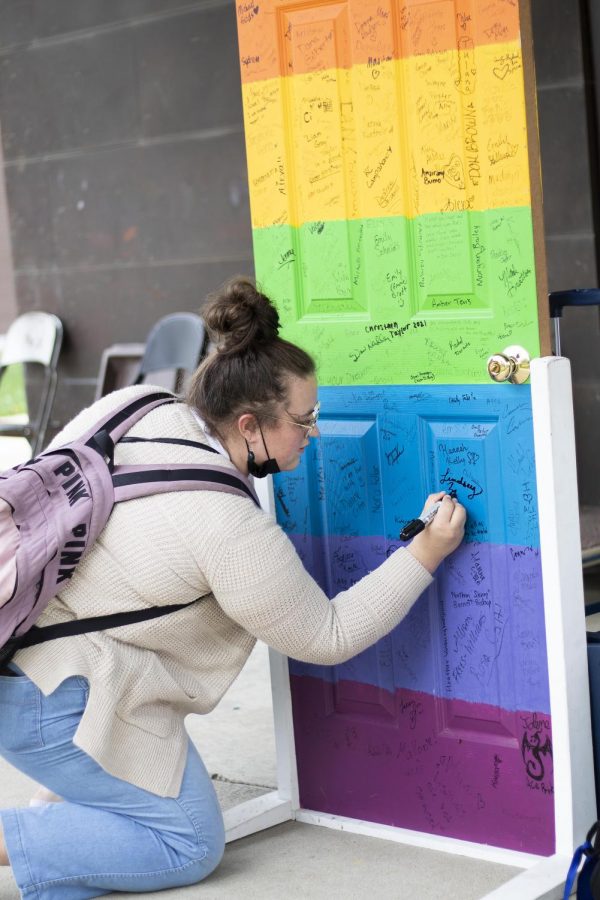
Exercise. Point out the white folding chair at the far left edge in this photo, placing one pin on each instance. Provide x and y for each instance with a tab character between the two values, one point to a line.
33	338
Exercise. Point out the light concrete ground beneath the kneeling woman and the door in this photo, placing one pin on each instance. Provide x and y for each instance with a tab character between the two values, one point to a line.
292	860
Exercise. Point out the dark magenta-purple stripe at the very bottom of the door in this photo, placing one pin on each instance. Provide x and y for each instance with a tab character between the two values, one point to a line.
409	759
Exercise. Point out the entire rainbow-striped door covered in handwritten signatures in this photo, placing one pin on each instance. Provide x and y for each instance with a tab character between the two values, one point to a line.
389	161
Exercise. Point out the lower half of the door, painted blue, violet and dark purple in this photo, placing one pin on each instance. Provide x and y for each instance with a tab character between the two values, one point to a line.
444	725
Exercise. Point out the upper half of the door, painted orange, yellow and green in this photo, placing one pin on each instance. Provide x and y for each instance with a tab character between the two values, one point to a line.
388	159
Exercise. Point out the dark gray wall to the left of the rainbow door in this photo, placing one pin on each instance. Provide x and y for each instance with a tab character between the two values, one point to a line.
124	163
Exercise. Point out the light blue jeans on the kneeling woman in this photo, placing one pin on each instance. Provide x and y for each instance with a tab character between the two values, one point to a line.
108	835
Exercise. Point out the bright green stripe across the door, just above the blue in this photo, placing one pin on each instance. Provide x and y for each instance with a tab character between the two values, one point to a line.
404	301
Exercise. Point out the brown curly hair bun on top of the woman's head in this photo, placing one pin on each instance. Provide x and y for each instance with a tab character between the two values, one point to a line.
239	316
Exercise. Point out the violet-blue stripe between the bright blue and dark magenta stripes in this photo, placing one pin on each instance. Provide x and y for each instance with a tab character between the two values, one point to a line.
477	635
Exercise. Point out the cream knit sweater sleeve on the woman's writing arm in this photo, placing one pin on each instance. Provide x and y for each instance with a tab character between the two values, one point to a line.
259	581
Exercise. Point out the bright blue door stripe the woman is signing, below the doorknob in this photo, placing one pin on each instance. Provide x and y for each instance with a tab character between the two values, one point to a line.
383	449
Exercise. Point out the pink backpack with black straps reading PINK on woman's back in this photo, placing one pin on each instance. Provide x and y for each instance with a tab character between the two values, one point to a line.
53	508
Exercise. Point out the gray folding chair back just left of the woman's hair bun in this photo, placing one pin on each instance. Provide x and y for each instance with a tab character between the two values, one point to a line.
176	344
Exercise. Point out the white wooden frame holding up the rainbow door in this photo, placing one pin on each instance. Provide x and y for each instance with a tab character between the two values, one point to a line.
562	578
